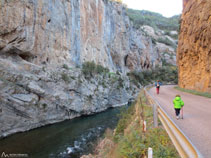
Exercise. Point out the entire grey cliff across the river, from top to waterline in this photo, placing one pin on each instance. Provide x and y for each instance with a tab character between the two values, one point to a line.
42	47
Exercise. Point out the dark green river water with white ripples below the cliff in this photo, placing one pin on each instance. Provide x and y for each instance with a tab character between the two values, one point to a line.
68	139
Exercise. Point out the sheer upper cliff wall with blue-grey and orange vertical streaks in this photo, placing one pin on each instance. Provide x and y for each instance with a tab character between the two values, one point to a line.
72	32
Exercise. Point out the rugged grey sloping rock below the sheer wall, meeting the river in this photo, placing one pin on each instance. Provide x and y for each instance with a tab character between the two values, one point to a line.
41	96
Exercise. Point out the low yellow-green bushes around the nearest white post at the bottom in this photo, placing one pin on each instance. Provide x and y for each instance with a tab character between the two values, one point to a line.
136	144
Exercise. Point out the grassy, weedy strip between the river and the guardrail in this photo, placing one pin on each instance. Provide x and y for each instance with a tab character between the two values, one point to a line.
128	139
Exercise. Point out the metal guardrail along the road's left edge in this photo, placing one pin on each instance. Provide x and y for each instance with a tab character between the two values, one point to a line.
182	143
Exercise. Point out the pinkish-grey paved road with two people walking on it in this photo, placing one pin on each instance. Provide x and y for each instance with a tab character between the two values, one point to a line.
197	116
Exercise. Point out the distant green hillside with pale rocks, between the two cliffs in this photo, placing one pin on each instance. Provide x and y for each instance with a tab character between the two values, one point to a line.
162	31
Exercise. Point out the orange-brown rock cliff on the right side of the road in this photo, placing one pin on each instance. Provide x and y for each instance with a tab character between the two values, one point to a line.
194	49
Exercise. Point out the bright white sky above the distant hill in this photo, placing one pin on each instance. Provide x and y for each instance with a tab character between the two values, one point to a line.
167	8
